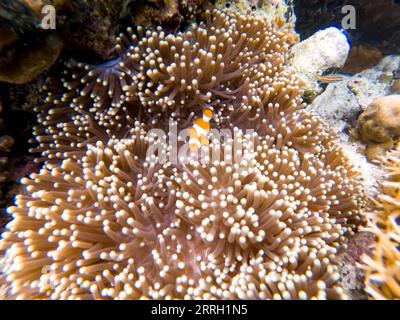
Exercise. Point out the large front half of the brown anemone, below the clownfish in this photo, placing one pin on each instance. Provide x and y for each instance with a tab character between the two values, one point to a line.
116	224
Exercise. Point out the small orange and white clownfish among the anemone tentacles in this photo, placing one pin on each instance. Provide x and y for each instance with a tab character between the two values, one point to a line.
201	128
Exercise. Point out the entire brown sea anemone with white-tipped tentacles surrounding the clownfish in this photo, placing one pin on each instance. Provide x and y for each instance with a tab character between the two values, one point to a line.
104	219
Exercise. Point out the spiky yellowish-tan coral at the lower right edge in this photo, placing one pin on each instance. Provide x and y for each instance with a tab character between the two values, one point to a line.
383	267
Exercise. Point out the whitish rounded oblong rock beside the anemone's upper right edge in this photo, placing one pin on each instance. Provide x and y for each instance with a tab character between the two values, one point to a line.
324	50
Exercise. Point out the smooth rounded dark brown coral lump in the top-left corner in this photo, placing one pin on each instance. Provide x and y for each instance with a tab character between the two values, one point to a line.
27	50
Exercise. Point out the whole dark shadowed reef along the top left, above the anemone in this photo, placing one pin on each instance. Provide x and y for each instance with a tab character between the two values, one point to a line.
85	27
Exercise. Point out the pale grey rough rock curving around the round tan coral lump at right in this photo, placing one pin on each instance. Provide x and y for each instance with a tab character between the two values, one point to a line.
341	104
